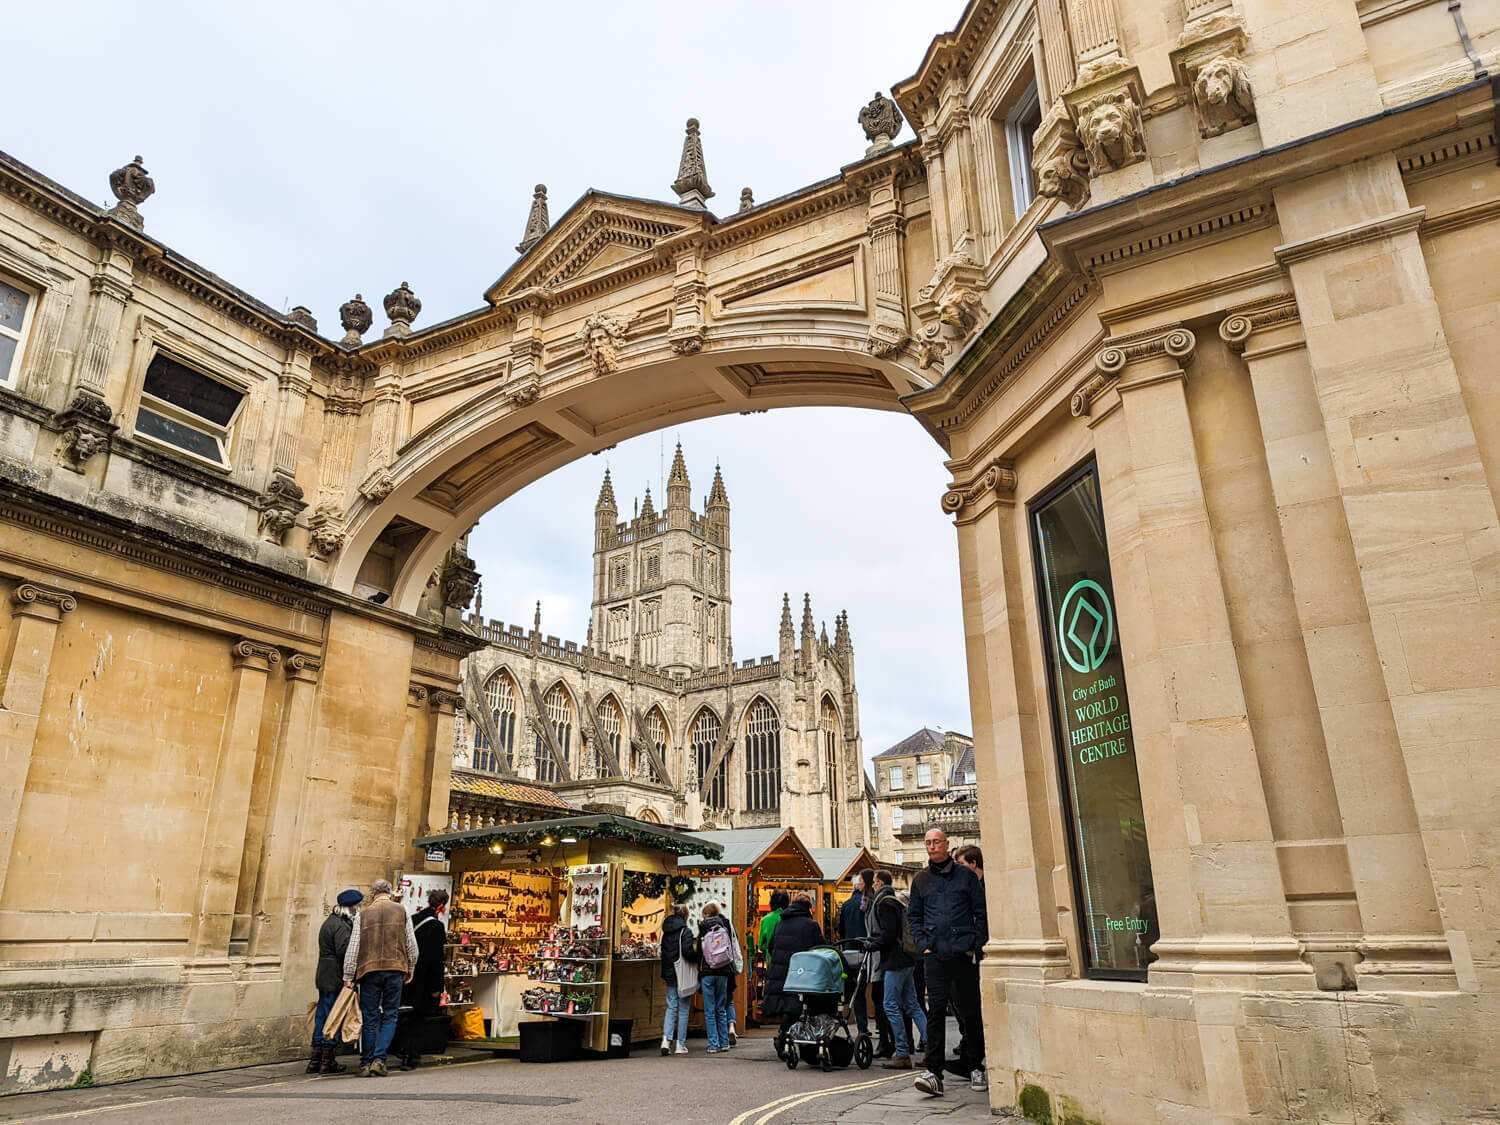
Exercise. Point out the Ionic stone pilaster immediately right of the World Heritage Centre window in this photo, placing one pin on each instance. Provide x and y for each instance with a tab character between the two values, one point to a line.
1195	746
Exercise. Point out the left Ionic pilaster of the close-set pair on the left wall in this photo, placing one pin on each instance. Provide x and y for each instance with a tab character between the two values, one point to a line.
229	811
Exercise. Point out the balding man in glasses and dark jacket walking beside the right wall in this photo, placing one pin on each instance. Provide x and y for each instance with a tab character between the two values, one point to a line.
949	926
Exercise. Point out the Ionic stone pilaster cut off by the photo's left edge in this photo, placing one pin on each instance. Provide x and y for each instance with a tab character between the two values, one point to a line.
35	616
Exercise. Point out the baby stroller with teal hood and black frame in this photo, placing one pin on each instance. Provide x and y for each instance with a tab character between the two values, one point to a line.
821	1033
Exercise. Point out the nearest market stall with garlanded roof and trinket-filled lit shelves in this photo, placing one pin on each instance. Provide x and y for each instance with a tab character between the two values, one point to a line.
554	956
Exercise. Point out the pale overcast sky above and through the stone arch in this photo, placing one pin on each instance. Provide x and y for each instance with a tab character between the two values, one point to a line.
307	152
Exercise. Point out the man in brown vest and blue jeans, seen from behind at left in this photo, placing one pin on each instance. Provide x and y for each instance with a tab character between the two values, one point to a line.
382	956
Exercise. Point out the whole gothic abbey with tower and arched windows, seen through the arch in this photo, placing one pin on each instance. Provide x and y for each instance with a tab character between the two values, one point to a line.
652	716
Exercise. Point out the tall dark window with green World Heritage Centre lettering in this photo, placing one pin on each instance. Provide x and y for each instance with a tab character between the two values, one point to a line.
1093	724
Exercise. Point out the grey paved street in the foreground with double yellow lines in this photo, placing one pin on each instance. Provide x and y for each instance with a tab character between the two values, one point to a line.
748	1087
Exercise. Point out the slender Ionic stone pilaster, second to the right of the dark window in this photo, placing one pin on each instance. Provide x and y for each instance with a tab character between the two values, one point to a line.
1402	944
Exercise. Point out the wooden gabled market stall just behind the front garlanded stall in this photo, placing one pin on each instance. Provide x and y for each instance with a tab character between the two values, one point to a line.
755	862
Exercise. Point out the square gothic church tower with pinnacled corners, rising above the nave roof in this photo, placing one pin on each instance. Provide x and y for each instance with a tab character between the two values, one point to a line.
662	580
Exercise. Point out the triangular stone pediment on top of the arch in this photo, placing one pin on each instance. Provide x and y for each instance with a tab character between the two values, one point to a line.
599	235
